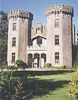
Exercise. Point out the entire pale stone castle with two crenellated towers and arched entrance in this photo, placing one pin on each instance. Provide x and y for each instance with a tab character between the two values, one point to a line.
41	44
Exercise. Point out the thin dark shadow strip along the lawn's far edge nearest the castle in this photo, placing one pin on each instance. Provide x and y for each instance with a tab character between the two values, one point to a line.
39	73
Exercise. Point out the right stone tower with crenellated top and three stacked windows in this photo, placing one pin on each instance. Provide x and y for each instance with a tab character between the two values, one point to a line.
59	35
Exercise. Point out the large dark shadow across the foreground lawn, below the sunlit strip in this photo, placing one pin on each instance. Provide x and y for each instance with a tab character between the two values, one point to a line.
39	88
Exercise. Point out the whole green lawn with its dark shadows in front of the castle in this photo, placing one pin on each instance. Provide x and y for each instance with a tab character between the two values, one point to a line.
43	85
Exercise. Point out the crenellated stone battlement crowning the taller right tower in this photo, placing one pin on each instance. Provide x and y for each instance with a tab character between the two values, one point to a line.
59	9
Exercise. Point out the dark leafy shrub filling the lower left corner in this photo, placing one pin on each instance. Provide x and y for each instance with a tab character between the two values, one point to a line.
11	87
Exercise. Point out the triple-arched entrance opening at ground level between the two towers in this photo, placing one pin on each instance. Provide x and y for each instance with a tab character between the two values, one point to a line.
36	60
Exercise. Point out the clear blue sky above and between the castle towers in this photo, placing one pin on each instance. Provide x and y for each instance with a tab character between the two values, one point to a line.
38	8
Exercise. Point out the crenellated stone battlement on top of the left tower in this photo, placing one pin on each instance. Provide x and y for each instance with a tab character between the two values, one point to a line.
20	14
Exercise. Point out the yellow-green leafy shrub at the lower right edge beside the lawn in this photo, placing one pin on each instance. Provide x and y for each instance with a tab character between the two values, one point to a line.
73	91
